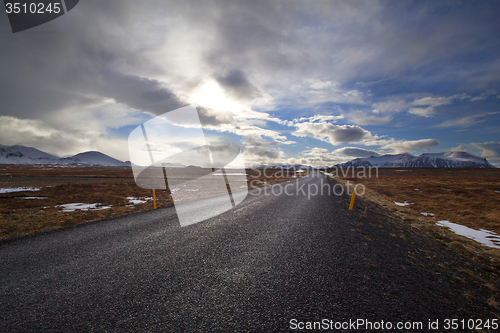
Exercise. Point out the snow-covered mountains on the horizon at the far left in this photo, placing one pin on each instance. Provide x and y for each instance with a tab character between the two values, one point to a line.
27	155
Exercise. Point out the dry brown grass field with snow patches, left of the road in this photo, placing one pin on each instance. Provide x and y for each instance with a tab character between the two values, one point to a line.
26	212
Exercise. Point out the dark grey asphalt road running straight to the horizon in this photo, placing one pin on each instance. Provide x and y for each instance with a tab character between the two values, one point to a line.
272	261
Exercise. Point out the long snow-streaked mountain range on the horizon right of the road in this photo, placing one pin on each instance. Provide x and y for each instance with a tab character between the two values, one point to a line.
454	159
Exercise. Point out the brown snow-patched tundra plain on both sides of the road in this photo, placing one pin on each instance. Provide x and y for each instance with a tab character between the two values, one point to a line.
39	197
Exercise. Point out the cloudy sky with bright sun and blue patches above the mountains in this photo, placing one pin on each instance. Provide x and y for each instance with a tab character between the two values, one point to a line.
311	82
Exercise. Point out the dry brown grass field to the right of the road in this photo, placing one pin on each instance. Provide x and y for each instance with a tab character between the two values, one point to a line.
469	197
